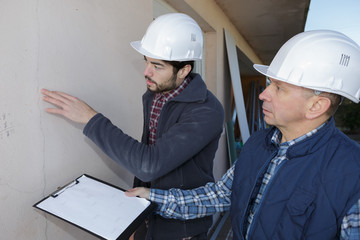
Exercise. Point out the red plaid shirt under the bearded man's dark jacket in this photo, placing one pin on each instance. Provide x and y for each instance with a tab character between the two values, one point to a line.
157	104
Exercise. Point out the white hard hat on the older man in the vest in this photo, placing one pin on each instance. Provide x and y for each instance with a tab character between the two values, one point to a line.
322	60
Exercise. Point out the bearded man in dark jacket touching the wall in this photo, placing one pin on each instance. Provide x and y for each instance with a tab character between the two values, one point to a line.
182	121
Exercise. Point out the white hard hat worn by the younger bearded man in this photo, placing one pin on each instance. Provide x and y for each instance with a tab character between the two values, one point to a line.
172	37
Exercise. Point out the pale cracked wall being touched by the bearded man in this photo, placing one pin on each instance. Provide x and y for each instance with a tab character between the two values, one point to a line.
77	46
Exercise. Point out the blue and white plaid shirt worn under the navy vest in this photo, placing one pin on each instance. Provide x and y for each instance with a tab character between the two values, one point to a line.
215	197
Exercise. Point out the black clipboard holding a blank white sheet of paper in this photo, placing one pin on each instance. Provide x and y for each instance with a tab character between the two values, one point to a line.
97	207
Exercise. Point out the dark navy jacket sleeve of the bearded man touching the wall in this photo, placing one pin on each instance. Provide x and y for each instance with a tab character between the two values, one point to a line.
196	128
